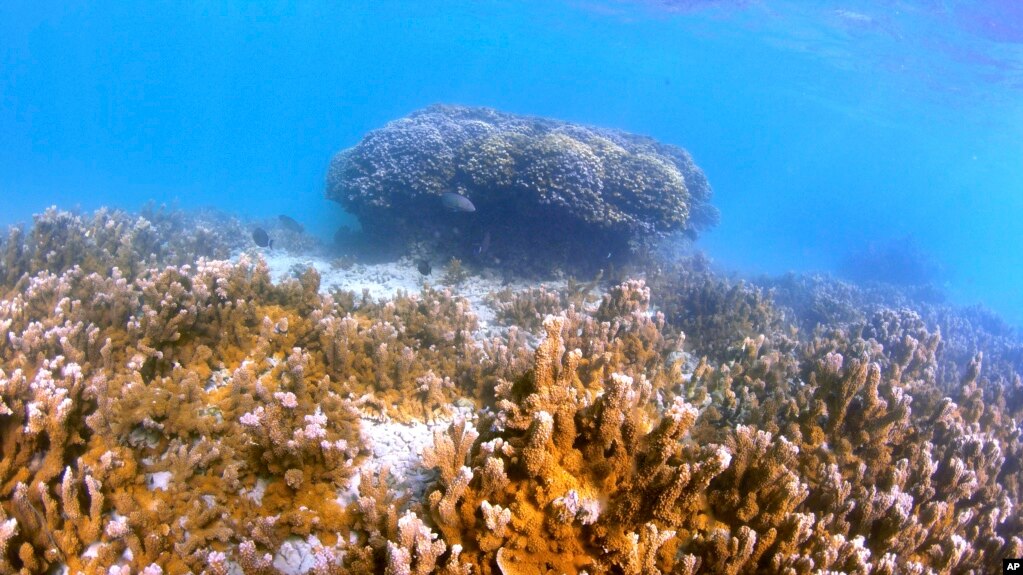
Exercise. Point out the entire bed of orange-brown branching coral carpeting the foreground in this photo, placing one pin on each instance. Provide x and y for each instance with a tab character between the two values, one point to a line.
201	418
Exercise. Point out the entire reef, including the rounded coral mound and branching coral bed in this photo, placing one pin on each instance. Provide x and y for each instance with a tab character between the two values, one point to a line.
170	406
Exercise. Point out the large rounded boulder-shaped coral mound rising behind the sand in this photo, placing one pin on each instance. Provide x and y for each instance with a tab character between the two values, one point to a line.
548	194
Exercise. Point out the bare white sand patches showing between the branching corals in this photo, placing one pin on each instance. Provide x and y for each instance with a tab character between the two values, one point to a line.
393	445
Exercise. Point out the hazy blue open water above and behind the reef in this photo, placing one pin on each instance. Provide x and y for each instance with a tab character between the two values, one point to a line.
822	126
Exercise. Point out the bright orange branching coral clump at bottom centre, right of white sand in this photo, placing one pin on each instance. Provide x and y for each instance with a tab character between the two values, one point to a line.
557	479
